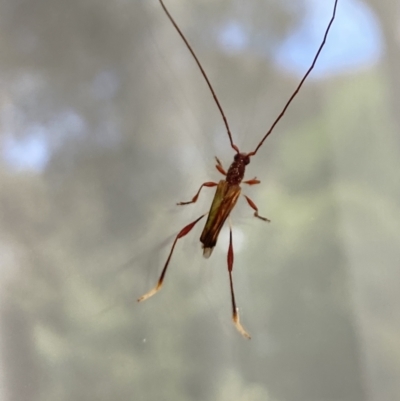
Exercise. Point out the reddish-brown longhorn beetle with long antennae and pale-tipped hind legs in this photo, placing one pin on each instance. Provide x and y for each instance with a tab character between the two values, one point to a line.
228	190
